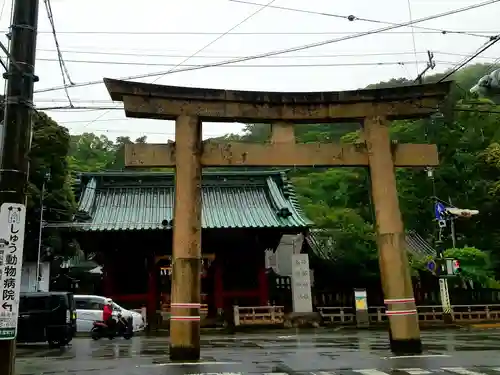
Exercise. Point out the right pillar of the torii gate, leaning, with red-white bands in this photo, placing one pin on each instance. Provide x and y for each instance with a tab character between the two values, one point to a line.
394	268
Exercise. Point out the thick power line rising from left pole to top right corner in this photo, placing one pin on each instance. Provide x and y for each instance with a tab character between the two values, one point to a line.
288	50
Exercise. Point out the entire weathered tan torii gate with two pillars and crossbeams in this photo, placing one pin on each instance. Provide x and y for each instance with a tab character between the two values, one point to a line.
373	108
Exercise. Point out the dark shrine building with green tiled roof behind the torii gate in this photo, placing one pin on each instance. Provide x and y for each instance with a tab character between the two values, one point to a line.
127	218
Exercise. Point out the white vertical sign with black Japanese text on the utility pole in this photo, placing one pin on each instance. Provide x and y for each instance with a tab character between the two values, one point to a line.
12	224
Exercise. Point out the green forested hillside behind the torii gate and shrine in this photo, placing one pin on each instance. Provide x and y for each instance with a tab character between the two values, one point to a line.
338	199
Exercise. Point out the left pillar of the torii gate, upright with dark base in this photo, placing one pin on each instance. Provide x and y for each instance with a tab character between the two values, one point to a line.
186	259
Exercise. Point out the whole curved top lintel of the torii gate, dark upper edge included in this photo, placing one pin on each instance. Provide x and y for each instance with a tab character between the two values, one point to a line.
145	100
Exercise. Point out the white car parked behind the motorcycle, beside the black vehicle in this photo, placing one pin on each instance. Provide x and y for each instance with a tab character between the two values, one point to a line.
89	309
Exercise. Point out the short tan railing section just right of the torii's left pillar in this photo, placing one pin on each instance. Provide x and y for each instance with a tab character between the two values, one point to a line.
258	315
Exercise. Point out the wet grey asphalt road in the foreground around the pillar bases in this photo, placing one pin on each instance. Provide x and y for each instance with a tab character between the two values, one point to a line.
321	352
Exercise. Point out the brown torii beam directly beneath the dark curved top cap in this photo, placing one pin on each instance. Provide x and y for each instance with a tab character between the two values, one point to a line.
224	111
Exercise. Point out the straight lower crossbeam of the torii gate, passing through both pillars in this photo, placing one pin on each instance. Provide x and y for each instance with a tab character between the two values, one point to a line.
279	155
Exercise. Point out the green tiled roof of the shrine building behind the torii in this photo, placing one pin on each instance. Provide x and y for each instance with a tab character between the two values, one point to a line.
112	201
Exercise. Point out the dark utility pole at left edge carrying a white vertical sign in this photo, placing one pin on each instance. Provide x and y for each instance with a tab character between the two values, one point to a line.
16	141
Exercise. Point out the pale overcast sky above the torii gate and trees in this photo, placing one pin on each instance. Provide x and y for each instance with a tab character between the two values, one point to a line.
153	36
